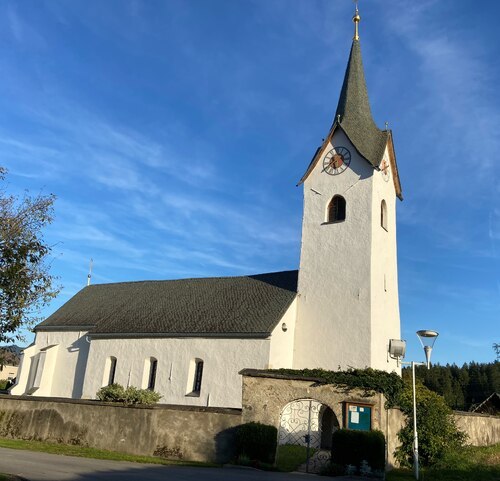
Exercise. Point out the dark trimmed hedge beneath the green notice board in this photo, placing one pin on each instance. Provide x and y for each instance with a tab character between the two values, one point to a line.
354	447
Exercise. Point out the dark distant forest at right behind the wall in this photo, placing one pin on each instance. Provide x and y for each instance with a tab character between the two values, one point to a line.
462	387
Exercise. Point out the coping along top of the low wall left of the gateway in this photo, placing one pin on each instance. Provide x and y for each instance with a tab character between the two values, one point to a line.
92	402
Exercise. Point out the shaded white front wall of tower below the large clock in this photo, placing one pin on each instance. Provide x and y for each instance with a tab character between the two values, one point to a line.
333	321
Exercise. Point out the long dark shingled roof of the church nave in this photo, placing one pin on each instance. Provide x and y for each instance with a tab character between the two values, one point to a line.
226	306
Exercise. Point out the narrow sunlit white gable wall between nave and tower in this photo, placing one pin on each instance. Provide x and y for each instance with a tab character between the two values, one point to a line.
281	351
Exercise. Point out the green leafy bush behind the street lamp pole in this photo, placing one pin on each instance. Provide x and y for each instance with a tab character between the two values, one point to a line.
437	431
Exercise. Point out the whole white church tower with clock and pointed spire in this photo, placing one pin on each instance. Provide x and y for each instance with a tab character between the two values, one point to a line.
348	306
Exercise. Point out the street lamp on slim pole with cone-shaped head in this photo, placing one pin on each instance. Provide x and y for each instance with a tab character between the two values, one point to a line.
397	349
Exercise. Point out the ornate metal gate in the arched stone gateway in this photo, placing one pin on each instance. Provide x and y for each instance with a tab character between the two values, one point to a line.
301	424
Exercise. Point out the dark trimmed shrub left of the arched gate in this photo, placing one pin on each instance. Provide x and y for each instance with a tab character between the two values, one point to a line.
257	441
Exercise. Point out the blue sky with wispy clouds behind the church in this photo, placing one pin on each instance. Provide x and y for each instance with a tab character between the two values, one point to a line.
174	132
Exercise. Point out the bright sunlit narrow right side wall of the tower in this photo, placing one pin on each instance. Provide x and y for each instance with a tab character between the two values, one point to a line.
384	273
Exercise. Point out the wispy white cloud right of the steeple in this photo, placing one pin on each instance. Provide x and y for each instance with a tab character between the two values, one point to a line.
458	81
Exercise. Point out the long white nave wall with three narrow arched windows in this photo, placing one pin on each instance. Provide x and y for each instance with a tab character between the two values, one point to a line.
223	359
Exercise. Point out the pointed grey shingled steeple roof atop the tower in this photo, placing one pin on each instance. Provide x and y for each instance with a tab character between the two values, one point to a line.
353	113
